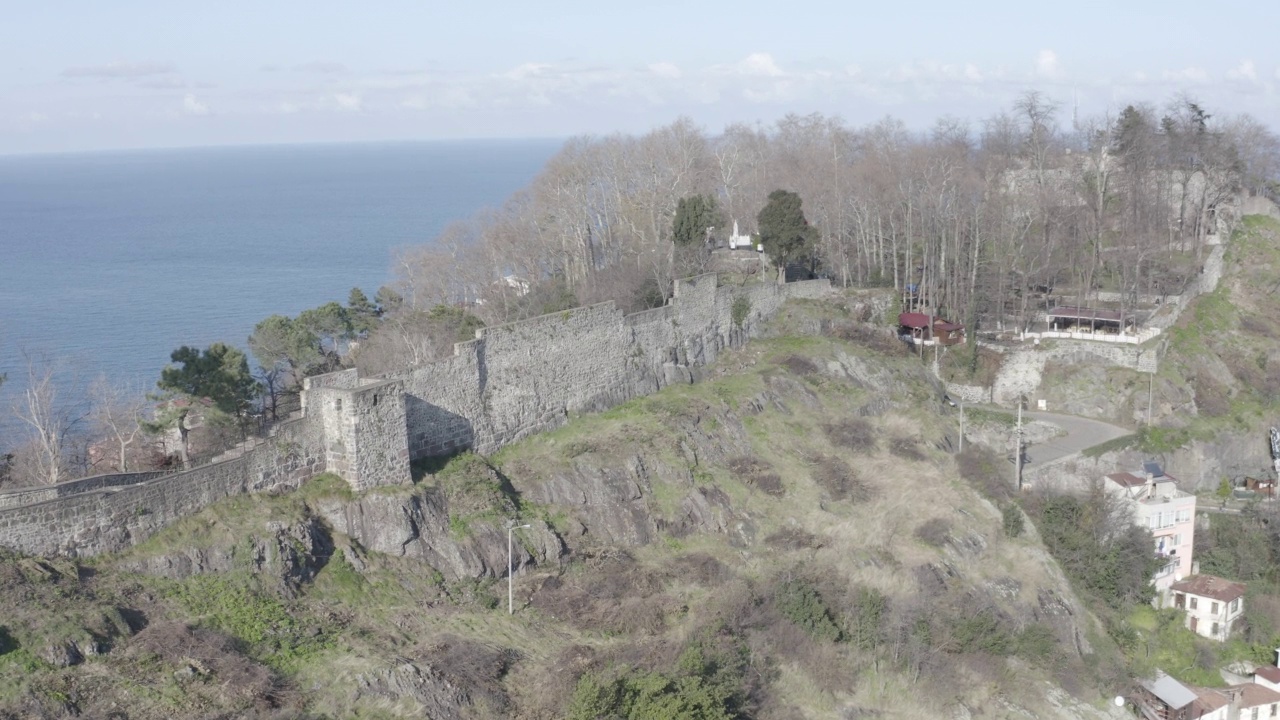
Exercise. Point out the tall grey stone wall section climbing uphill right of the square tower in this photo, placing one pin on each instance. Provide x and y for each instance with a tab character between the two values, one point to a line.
522	379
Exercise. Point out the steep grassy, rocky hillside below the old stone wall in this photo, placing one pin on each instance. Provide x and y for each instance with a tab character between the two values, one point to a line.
788	539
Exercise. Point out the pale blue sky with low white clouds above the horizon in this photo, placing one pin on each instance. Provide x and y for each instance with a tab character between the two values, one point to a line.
80	76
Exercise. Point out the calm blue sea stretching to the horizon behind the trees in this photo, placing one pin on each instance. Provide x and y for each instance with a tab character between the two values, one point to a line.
112	261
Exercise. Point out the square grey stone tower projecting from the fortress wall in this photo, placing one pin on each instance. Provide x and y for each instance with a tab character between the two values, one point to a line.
365	432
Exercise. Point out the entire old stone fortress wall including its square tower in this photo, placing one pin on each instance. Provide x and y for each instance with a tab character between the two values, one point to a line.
510	382
